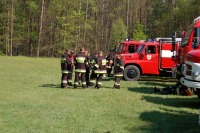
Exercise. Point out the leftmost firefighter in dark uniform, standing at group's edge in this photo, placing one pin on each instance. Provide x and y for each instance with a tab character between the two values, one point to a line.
65	65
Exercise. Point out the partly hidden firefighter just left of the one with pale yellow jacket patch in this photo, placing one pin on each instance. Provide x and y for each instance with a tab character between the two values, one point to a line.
93	76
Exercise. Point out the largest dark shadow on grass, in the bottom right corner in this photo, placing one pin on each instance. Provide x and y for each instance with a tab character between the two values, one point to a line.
169	121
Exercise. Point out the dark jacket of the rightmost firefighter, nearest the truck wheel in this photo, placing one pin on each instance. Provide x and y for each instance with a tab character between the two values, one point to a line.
119	68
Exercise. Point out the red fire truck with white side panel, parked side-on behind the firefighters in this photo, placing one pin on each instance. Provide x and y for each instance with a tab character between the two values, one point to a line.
150	58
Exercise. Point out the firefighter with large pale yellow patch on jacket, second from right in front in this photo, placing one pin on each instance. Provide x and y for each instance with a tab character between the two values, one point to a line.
100	69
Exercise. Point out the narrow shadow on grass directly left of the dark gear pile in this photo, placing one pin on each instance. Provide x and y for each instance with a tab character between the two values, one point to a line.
145	90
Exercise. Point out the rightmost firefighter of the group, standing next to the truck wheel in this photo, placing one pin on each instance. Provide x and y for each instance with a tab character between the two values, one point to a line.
118	71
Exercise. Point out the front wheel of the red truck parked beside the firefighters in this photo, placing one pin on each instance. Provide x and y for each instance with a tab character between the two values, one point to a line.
131	73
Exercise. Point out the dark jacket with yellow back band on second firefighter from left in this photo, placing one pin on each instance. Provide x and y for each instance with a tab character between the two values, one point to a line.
80	62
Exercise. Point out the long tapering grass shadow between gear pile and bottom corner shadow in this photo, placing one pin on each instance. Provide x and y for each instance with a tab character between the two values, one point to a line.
184	101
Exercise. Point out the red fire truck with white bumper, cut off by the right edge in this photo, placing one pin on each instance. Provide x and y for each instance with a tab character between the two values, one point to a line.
188	59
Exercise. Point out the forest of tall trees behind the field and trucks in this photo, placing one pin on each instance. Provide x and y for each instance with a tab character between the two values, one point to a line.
45	28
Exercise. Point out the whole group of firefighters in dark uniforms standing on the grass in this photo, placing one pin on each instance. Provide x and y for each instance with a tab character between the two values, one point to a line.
89	70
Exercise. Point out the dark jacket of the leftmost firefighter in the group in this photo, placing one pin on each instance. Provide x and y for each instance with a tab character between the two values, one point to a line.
65	63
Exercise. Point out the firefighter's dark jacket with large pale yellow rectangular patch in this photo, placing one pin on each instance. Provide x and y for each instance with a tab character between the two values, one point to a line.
100	66
